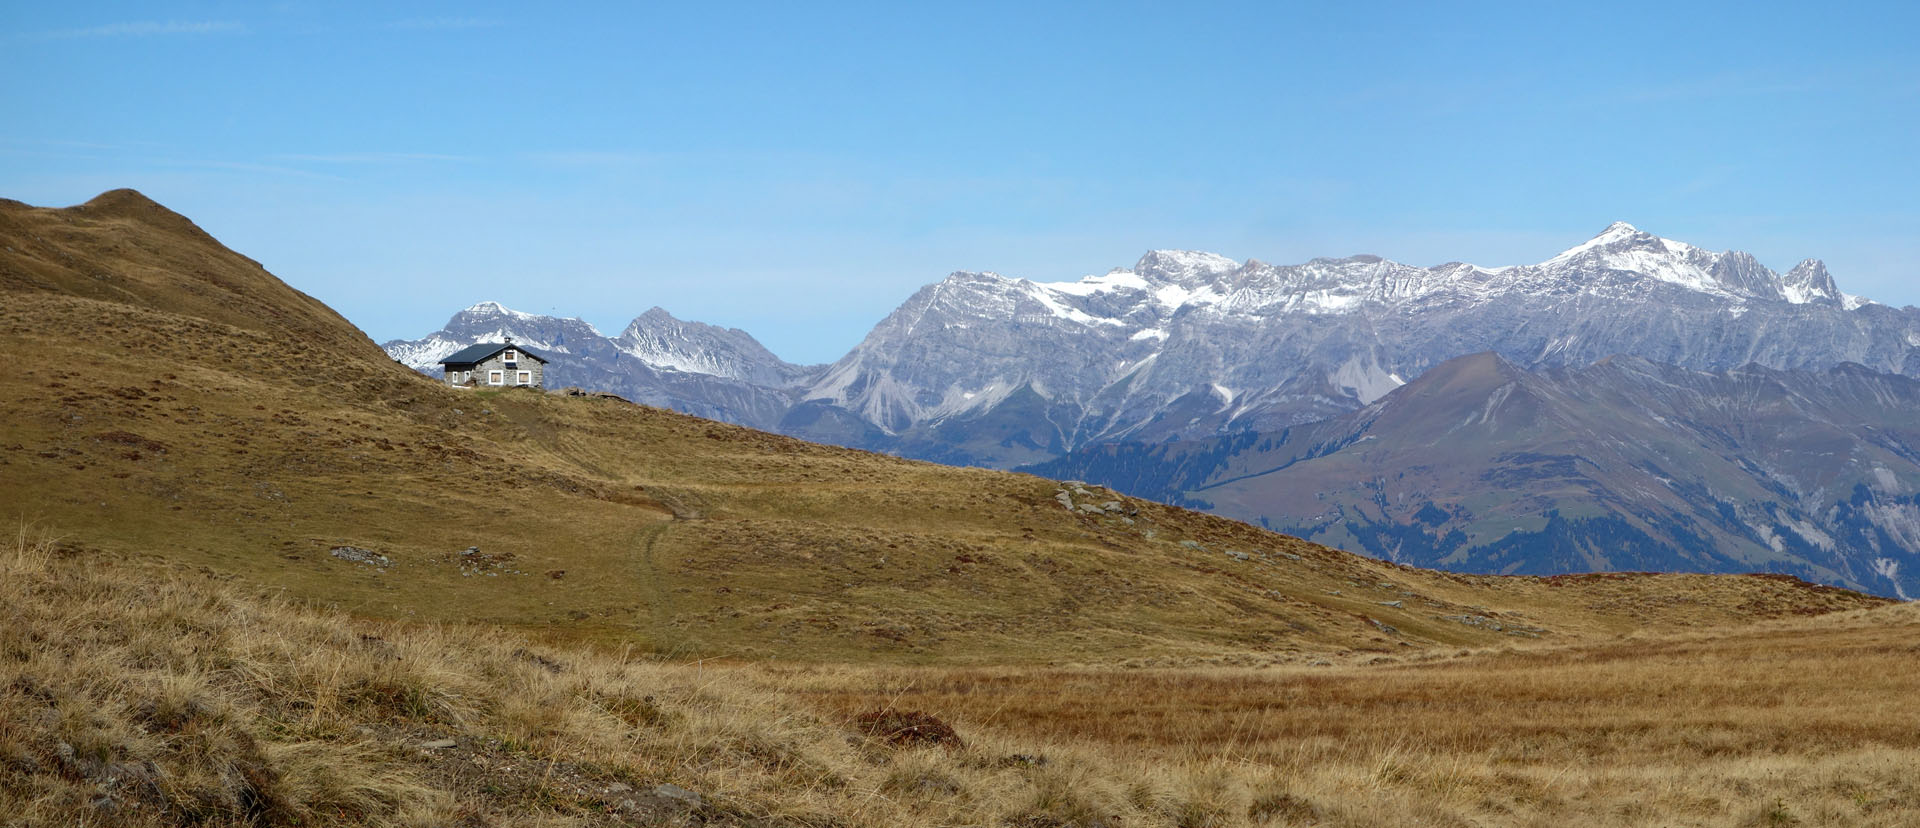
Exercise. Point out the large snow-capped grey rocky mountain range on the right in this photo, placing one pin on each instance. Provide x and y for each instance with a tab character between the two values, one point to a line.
1188	345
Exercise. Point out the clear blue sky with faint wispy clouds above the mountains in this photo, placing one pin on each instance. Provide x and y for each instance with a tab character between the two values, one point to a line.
798	170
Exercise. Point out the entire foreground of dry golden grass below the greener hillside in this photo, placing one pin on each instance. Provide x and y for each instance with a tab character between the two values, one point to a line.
133	696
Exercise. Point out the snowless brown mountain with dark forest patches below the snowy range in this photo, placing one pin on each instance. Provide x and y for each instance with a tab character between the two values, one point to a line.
1620	466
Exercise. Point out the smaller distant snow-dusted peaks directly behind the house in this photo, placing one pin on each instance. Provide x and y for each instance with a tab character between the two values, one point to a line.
694	368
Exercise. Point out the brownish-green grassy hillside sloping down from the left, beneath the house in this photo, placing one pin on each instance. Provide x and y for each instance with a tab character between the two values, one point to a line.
176	399
